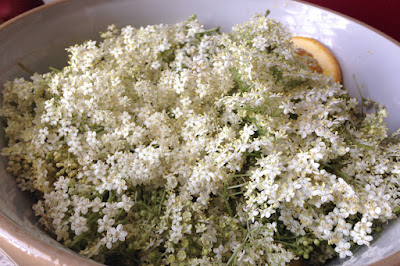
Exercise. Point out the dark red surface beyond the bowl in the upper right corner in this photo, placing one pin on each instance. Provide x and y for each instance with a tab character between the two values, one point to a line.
383	15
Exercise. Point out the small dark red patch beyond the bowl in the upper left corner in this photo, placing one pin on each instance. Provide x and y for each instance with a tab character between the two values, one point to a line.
12	8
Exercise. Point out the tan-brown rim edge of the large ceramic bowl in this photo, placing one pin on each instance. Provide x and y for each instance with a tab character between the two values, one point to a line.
15	240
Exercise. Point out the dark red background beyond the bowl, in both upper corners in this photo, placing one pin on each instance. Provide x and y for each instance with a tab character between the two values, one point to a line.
382	14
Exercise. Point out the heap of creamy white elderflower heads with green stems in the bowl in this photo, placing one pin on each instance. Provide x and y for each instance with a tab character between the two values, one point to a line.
172	144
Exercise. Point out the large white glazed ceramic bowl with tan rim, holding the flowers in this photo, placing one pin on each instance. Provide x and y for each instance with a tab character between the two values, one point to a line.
38	38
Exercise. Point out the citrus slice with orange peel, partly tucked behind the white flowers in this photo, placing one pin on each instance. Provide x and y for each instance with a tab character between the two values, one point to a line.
319	58
